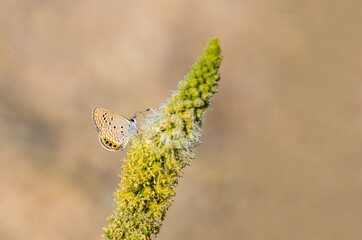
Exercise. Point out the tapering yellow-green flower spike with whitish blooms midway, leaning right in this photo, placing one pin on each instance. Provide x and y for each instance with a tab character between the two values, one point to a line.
161	149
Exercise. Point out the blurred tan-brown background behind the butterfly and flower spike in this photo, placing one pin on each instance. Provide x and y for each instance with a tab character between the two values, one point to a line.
281	156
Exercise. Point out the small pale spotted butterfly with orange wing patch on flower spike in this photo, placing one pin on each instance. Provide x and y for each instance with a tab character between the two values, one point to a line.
114	129
